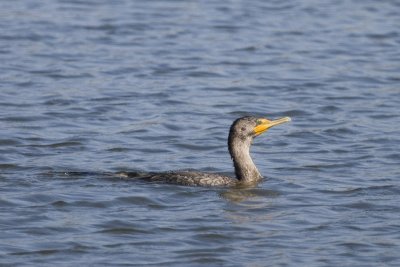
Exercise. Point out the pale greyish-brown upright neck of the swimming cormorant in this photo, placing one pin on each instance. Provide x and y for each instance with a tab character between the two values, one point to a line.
245	169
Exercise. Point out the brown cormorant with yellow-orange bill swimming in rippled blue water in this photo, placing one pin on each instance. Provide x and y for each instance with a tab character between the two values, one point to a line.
241	135
